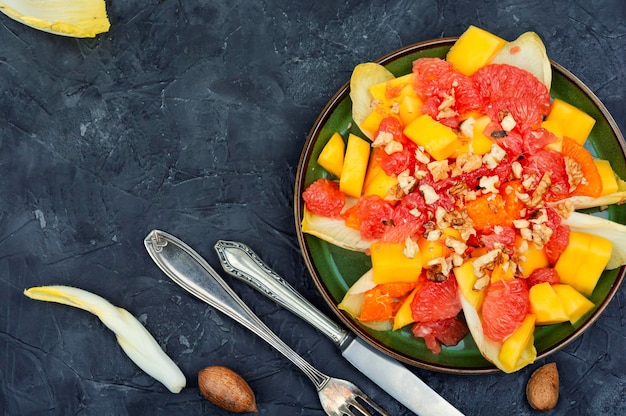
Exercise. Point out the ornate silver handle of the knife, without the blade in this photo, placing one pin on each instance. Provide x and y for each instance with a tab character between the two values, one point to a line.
241	262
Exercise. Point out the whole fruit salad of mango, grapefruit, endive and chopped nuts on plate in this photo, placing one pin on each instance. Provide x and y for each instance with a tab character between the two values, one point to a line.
463	190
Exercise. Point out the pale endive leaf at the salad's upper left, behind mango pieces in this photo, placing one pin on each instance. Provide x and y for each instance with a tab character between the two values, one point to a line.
363	77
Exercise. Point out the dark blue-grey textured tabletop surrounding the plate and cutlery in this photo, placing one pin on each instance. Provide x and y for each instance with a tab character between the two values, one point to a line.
190	117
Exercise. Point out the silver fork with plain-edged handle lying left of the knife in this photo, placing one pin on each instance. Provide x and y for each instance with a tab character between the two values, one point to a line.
187	268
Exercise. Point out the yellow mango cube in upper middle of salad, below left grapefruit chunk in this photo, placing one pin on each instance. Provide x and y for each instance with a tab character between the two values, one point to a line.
438	140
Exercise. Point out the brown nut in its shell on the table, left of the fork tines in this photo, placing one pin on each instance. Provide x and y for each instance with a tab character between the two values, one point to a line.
226	389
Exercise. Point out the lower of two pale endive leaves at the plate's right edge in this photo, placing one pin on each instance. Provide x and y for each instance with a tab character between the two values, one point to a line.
612	231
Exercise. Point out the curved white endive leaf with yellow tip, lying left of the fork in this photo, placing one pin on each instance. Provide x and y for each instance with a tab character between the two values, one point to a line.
132	336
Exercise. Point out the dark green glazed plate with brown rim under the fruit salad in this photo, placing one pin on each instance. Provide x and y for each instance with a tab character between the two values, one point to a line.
334	269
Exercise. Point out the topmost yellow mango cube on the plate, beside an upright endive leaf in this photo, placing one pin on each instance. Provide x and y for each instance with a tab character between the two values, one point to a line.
474	49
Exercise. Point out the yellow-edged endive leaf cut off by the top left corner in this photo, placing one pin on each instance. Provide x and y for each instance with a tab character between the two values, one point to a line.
75	18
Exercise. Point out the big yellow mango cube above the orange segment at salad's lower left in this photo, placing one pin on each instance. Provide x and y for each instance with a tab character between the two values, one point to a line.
390	264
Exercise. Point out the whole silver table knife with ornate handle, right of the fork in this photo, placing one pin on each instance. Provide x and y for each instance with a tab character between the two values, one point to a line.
241	262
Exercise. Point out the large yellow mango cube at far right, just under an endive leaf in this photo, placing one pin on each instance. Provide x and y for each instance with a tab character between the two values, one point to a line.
583	260
